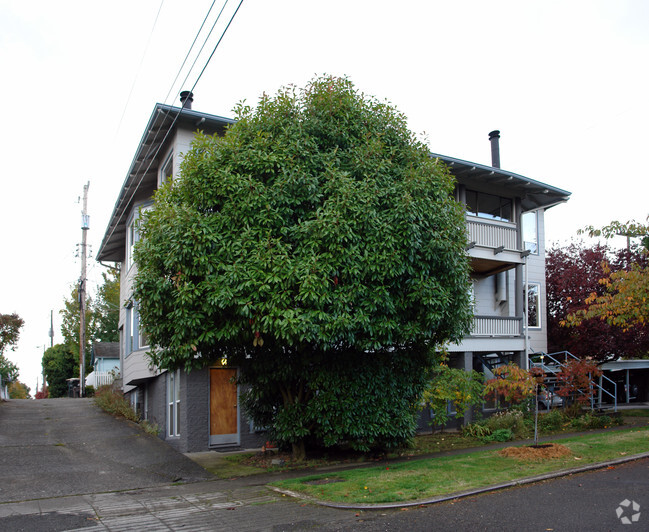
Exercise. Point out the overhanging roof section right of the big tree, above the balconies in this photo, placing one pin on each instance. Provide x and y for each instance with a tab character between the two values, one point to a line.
533	194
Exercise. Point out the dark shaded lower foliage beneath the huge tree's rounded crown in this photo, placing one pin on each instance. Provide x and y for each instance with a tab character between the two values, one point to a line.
366	399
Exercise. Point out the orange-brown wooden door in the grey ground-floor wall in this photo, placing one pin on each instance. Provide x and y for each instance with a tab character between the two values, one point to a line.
224	411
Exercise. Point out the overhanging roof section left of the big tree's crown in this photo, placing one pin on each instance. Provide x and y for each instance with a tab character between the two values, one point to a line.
142	177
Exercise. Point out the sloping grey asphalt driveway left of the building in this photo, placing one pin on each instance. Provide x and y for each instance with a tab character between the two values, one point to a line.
55	447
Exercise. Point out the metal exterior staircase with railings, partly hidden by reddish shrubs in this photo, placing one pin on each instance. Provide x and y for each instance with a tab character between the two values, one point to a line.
553	363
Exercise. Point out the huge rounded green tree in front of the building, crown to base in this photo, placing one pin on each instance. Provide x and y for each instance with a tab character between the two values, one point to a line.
317	247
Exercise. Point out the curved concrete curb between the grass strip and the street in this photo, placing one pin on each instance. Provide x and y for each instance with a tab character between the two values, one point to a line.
468	493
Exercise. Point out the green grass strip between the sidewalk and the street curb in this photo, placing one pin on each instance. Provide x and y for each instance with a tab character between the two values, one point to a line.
425	478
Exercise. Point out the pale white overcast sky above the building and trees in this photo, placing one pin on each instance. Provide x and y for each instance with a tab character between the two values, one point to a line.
566	82
